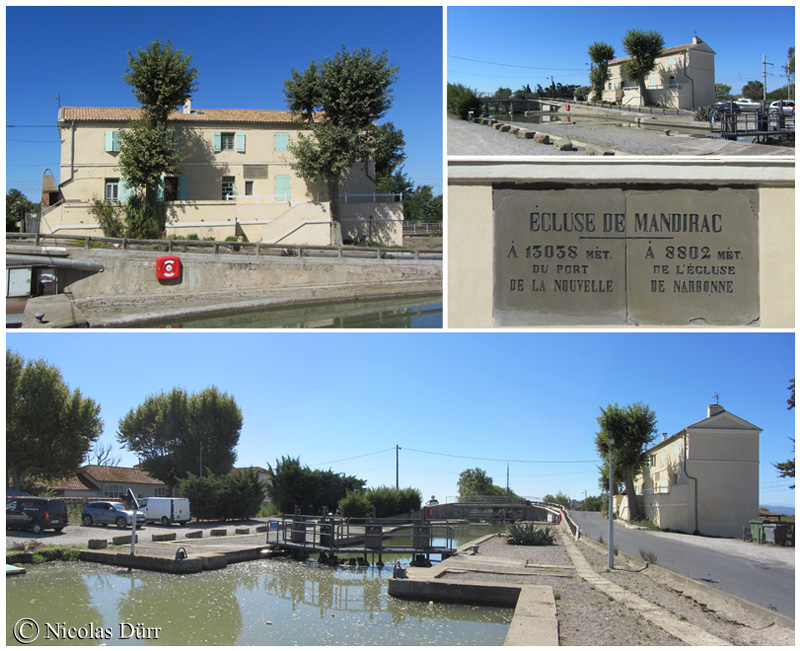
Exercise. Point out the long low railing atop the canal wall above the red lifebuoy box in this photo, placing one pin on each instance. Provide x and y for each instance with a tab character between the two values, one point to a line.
239	248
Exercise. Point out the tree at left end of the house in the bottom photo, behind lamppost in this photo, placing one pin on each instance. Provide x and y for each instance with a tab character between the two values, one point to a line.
633	428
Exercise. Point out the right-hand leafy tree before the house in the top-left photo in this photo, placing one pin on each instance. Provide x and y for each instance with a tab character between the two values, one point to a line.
341	101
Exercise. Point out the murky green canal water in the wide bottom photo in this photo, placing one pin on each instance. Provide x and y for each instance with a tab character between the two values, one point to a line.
268	602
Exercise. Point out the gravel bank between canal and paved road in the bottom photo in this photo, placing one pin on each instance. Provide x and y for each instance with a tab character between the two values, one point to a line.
587	616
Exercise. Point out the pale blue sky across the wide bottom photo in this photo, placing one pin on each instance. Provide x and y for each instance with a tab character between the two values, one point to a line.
452	401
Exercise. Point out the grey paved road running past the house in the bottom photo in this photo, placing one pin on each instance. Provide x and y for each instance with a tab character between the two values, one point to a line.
759	574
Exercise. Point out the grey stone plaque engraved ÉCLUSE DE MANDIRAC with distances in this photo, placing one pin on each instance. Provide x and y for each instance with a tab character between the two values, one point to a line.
625	255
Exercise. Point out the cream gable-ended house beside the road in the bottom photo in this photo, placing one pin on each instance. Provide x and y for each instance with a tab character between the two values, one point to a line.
704	478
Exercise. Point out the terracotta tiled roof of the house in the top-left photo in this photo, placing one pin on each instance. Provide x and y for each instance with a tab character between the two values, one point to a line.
121	114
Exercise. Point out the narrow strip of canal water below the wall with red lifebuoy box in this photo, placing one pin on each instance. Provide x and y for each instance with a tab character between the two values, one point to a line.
408	312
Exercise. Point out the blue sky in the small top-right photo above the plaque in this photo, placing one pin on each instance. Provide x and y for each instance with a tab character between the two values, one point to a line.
534	43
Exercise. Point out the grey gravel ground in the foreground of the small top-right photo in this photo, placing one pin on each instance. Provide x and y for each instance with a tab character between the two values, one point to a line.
470	139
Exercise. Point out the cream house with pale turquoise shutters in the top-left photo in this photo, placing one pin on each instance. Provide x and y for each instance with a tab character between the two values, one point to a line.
236	179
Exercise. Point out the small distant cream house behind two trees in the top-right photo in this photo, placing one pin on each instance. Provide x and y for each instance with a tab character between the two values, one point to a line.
683	78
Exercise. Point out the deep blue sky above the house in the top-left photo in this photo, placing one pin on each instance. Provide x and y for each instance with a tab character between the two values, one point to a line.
243	55
